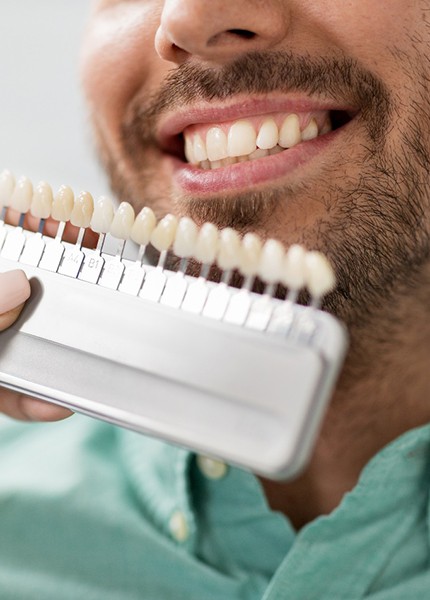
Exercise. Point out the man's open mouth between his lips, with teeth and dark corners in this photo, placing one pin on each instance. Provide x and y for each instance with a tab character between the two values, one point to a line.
210	146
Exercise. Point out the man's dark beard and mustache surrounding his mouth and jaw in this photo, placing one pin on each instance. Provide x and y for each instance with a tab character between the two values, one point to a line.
374	231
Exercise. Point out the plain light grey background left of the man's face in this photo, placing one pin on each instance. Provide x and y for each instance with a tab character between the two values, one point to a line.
43	124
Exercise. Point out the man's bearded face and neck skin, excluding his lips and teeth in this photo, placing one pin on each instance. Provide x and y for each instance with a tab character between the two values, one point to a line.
363	200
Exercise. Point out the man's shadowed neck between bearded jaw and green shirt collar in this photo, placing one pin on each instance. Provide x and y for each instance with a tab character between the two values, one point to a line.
383	392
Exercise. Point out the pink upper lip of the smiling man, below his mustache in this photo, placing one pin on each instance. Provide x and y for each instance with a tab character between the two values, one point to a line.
173	124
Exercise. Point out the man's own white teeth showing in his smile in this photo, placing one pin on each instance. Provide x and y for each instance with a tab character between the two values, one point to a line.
221	146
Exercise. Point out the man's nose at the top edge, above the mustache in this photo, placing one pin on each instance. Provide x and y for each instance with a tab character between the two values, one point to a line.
219	30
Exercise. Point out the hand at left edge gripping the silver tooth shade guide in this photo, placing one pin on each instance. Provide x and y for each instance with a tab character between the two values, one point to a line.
14	291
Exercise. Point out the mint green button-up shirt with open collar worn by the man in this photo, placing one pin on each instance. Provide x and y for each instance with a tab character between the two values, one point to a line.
89	511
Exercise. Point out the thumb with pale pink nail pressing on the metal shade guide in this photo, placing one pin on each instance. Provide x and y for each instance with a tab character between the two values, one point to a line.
14	291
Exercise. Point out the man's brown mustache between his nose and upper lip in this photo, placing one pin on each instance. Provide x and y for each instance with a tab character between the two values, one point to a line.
258	73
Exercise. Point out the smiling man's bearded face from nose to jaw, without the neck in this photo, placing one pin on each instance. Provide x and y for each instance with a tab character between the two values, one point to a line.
159	73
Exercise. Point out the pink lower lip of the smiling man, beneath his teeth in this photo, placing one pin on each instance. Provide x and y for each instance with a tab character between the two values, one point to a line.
242	176
